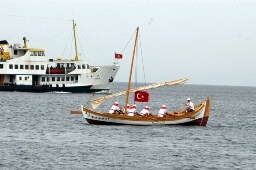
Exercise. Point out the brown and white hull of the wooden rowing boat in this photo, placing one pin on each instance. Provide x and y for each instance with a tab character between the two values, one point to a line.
199	117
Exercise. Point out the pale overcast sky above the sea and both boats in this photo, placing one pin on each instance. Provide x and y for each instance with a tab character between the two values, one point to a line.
211	42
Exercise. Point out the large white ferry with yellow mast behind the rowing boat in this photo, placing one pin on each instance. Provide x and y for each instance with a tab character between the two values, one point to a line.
27	69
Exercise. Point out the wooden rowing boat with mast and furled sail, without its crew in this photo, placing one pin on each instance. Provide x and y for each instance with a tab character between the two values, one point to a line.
199	116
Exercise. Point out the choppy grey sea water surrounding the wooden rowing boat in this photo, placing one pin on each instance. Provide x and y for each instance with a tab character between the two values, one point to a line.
37	132
